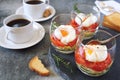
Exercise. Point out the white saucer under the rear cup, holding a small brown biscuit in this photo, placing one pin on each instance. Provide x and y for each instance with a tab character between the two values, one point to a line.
21	11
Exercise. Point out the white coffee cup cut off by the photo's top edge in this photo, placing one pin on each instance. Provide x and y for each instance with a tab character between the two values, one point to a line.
34	9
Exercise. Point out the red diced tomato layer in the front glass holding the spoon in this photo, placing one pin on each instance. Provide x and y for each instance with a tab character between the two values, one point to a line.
97	66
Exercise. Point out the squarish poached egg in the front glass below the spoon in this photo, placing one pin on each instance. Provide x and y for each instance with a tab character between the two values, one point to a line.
95	53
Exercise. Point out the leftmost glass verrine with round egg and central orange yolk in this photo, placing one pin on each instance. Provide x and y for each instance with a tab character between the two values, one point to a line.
63	34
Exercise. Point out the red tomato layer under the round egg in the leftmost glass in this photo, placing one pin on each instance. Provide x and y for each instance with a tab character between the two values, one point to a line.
58	43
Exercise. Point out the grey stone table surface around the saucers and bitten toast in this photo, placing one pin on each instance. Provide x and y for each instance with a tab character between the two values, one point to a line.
14	63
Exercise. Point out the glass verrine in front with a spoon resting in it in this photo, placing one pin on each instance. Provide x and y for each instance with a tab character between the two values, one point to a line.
95	59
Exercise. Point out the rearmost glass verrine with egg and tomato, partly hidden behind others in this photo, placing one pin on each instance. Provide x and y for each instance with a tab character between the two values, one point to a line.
90	16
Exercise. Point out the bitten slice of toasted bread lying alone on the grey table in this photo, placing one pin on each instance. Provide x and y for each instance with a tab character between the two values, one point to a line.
36	65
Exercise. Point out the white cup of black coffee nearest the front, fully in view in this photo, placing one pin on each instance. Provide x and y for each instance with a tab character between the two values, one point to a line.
19	28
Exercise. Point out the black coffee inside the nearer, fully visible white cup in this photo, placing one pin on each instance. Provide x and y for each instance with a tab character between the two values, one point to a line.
18	23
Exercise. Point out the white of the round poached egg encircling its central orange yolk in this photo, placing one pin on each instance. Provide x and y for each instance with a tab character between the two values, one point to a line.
71	33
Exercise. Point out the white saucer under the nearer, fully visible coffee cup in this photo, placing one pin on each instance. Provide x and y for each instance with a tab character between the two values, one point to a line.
39	35
